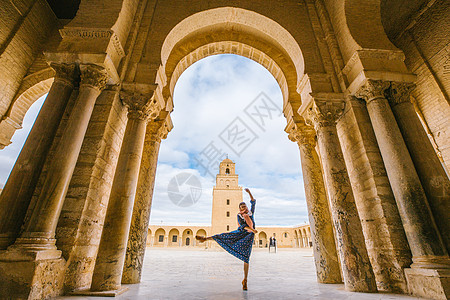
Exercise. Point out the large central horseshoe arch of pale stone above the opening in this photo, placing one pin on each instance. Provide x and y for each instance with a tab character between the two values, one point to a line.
237	31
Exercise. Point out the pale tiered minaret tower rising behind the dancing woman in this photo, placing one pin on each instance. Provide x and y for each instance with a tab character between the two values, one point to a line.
227	195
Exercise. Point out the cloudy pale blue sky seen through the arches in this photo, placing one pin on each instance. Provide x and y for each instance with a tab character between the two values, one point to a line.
213	98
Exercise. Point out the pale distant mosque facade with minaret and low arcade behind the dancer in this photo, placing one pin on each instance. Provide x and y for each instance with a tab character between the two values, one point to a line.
227	194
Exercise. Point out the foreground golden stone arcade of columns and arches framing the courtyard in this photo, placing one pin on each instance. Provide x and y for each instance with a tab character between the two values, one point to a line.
365	87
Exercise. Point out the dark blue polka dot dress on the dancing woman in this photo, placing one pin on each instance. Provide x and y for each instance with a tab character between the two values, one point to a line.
238	242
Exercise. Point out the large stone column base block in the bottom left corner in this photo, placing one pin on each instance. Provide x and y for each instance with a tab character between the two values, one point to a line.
31	275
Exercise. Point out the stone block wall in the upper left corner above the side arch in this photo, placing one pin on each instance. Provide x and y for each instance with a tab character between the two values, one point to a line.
25	27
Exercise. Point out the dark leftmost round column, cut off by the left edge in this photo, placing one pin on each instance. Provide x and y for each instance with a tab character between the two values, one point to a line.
19	188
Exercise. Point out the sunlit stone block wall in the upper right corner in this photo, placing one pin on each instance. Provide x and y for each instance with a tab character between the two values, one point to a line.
427	50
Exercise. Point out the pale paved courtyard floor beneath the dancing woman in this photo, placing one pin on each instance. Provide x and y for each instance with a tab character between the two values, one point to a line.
211	274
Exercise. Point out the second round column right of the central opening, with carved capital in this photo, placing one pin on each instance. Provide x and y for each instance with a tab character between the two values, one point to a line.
356	267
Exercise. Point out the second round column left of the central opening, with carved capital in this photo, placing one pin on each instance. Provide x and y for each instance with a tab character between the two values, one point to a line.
113	244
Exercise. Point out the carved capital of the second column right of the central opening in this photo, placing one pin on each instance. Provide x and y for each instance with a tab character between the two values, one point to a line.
326	112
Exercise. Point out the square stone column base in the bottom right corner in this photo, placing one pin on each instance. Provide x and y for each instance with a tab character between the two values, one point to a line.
429	283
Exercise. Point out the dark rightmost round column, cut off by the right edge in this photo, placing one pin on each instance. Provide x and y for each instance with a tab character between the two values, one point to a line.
432	175
